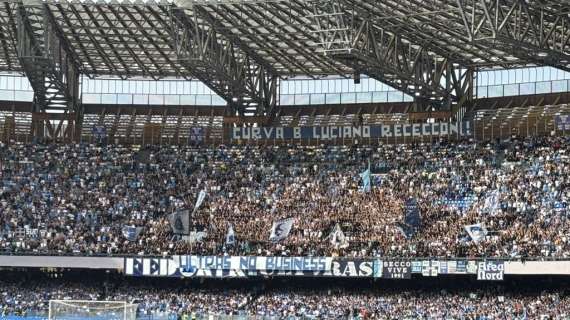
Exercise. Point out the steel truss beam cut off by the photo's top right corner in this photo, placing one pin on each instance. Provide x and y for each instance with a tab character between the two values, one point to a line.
532	31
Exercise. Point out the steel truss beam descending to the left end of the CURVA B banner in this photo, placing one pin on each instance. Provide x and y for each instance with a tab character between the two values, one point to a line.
248	86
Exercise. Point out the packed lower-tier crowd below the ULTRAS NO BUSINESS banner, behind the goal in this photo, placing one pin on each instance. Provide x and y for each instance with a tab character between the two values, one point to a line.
336	303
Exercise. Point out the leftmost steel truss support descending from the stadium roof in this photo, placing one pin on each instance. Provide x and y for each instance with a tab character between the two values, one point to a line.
49	65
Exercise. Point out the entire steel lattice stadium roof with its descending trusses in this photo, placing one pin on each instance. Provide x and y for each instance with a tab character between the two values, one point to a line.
427	48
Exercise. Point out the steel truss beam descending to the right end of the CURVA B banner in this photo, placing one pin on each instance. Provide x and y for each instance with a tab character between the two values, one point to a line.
348	35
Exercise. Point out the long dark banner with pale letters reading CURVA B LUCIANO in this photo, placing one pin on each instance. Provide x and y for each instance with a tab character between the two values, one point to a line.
352	132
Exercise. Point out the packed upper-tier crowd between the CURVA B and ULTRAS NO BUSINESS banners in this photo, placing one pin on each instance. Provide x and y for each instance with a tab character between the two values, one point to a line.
77	199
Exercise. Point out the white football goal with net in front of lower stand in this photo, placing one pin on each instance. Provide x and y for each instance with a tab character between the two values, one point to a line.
91	310
